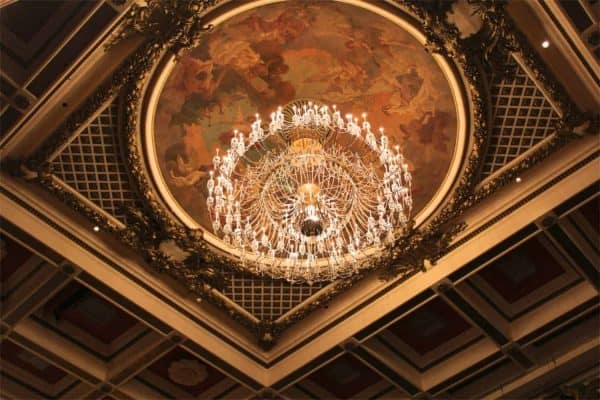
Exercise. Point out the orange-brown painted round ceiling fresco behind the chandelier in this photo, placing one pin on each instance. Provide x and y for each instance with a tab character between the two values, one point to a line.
330	52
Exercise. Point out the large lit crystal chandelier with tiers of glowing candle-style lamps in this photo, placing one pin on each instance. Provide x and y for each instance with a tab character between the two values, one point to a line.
311	196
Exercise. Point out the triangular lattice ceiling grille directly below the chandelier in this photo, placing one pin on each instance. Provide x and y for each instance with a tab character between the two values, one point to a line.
267	299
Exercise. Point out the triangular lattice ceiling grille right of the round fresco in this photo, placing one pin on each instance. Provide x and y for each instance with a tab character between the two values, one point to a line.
522	117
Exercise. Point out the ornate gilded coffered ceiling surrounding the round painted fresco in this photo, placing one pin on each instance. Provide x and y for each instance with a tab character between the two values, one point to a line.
504	307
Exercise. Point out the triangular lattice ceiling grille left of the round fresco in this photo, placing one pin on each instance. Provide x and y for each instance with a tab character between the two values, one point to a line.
92	165
